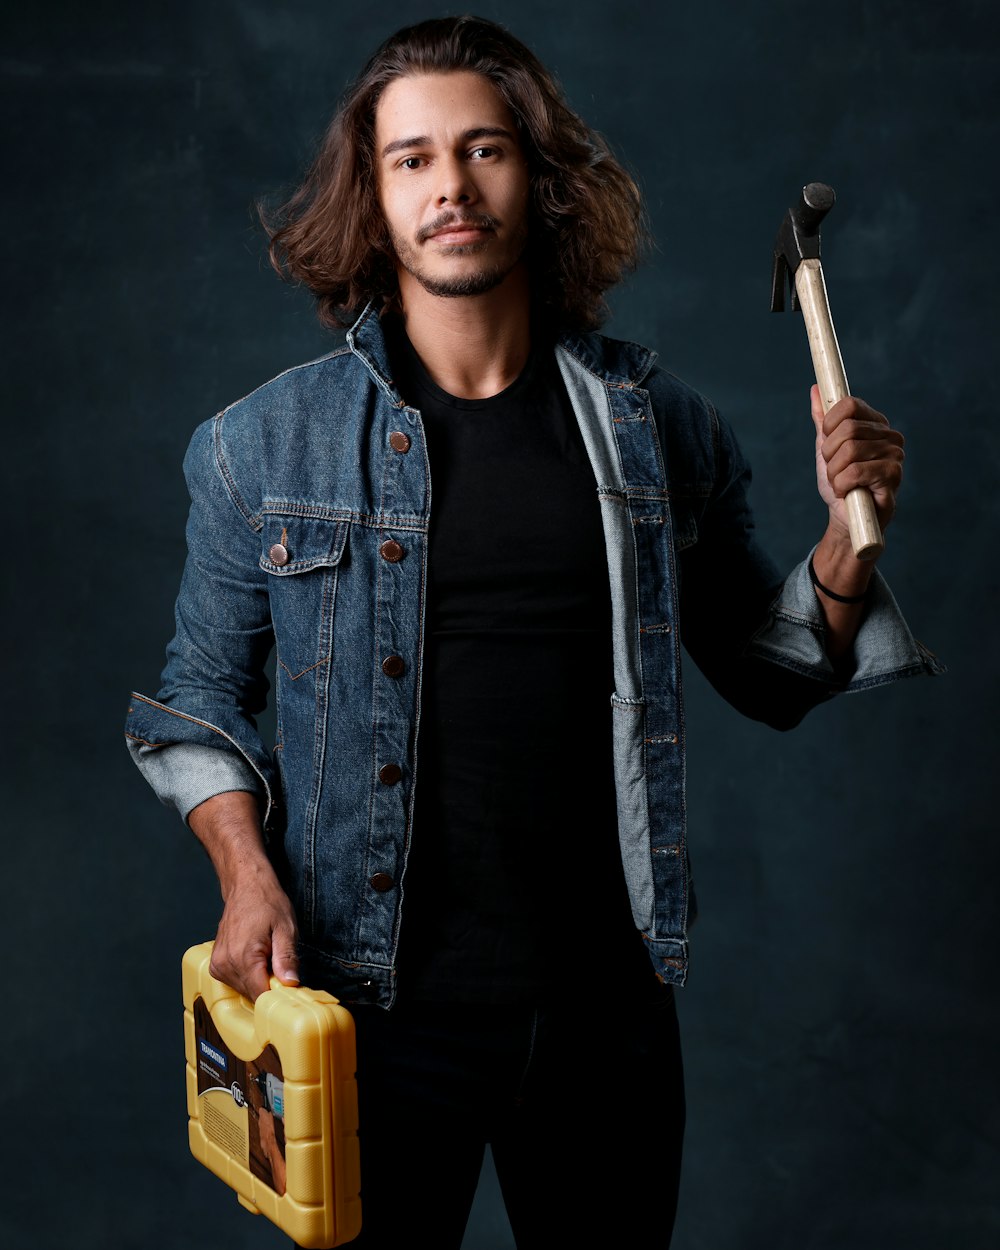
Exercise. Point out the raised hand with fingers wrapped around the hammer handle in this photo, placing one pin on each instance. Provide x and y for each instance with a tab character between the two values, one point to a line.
857	447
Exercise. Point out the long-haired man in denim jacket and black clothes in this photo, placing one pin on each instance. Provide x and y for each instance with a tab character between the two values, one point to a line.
427	524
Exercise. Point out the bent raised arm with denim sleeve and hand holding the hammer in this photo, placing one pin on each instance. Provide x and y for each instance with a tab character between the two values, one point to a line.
768	646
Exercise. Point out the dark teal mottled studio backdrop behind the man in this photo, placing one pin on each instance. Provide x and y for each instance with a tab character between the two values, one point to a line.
842	1017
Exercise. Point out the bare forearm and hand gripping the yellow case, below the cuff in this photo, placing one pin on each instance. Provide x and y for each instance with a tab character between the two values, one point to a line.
258	931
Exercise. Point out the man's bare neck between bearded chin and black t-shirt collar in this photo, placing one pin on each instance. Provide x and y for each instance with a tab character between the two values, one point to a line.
472	346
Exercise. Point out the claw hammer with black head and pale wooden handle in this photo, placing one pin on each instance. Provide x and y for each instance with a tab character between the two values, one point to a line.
797	254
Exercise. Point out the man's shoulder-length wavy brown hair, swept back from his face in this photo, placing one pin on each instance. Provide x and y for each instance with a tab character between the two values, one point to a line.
587	223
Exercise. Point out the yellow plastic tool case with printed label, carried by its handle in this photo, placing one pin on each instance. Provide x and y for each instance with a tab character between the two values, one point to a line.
273	1102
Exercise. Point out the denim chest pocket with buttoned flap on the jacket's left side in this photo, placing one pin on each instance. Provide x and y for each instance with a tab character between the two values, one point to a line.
302	557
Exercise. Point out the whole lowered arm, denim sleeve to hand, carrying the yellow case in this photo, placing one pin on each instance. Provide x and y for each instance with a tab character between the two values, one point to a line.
197	743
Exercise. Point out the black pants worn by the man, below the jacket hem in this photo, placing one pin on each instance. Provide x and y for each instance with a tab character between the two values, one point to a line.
583	1107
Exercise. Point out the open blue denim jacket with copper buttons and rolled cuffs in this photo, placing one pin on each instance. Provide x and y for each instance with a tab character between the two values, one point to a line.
309	531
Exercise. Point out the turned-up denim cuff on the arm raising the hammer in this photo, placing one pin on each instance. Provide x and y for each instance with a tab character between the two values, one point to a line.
884	651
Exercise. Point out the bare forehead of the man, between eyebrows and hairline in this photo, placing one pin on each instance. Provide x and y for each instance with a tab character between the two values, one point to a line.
439	107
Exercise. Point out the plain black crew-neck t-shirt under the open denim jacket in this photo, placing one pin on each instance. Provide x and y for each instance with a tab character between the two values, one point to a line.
514	852
